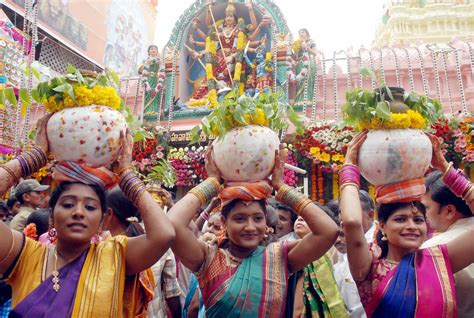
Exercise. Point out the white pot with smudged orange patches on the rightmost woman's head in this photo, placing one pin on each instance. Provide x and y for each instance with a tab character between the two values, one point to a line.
394	155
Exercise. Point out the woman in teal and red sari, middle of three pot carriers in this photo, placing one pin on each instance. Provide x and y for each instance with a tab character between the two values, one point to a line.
240	277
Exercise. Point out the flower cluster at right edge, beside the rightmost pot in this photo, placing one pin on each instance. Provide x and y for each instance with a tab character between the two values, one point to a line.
457	135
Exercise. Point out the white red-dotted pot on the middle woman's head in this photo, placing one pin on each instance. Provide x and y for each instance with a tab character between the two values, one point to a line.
246	153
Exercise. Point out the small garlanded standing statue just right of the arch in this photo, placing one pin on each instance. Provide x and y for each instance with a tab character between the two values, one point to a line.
301	67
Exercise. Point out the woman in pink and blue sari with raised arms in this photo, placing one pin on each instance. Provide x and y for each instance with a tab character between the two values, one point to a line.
395	277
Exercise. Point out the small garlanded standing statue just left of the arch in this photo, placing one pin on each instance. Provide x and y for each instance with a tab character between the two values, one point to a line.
153	79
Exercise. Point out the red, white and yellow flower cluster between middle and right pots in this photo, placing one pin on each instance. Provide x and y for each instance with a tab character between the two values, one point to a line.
324	145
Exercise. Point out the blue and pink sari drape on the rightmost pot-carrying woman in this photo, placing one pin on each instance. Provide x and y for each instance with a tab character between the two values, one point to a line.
421	285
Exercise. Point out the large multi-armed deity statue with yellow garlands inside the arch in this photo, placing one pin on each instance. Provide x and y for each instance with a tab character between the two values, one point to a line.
224	46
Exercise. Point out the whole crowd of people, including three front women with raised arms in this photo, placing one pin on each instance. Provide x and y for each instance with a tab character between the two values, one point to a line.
100	244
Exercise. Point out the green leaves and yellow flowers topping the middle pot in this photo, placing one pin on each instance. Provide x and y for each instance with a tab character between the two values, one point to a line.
234	111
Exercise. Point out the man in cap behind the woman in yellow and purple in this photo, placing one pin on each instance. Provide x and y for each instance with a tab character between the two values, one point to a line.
31	195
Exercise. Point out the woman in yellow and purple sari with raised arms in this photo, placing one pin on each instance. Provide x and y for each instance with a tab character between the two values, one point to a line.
74	277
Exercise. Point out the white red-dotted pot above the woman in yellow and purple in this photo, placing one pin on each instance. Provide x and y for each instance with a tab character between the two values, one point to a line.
90	134
